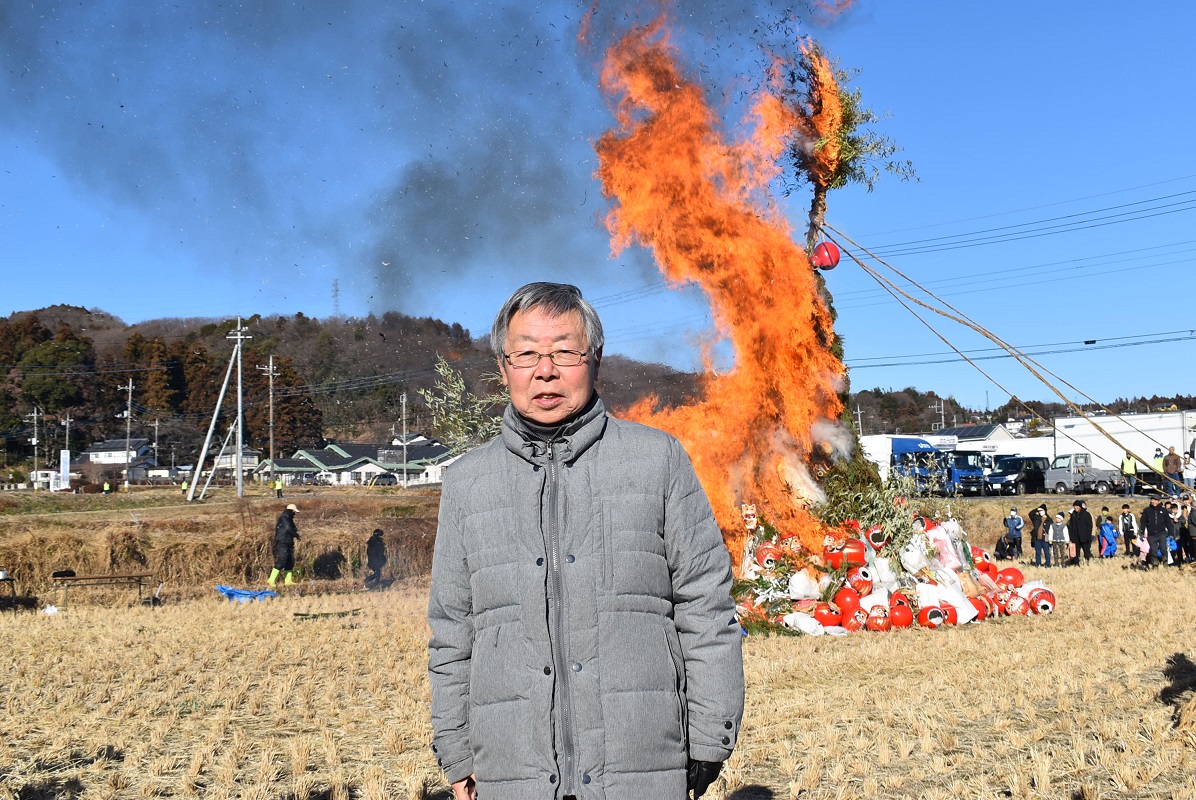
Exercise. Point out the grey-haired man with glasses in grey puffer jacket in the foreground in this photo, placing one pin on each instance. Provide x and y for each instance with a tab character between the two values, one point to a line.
584	639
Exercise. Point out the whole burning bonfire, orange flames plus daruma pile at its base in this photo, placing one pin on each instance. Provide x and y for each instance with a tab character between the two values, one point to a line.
765	432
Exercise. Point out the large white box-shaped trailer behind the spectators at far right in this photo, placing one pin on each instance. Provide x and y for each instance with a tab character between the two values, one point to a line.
1138	433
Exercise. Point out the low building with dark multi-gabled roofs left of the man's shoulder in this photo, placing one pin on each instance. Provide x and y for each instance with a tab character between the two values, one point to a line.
355	465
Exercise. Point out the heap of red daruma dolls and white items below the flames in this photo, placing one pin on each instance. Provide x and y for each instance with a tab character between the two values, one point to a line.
867	581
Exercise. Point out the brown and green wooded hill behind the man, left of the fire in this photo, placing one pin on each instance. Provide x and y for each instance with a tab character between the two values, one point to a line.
338	378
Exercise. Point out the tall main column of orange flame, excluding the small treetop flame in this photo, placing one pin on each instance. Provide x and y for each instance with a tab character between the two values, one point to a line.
700	204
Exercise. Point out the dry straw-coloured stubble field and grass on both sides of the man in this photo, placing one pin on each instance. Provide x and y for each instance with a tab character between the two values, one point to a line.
202	698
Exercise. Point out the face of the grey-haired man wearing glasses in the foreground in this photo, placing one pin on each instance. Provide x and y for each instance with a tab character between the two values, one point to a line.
548	394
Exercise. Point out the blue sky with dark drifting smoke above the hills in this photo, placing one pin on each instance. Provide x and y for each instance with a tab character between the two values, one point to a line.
212	160
